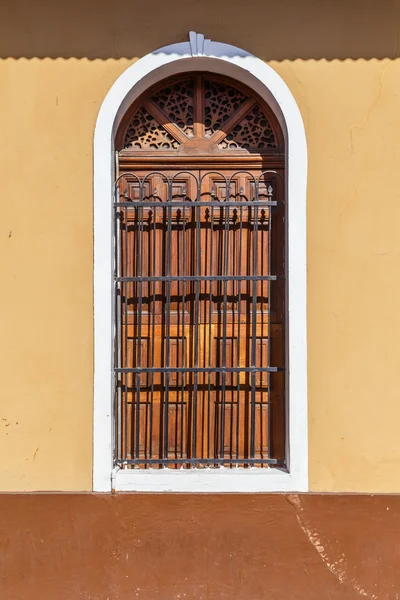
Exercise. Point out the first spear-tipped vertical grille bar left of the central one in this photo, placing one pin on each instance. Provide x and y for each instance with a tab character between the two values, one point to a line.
168	315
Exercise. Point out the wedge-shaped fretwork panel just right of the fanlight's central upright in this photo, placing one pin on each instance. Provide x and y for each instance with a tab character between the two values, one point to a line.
220	102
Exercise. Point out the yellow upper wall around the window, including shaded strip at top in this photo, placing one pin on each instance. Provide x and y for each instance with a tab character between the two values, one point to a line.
57	62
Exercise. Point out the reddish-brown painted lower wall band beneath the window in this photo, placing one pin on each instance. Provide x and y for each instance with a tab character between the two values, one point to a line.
250	547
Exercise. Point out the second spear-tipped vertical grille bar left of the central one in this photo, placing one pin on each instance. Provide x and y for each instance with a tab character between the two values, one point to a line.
139	285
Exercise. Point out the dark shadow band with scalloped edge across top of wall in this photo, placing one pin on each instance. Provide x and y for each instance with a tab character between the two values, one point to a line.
307	29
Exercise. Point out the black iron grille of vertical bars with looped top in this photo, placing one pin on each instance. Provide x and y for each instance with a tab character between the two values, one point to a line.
199	280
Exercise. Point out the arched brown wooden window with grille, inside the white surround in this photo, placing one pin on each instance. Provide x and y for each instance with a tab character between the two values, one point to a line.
200	279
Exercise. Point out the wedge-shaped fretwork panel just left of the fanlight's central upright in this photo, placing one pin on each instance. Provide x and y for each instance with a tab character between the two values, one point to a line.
176	102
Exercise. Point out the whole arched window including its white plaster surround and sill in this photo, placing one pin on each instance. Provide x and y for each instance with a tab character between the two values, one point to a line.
204	282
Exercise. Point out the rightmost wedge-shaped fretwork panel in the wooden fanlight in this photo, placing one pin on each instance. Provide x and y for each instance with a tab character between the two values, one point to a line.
253	132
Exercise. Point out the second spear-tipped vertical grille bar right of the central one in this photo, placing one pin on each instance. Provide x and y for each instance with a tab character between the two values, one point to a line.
254	325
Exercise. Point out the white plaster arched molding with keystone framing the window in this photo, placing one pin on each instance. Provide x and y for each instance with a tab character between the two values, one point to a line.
200	54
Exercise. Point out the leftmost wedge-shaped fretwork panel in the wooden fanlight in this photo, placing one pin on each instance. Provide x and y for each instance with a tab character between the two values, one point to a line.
145	132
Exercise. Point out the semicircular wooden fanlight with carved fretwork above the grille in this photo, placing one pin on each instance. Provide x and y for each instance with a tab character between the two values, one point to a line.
202	112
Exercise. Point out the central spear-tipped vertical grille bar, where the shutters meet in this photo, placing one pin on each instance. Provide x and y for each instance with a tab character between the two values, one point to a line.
196	319
